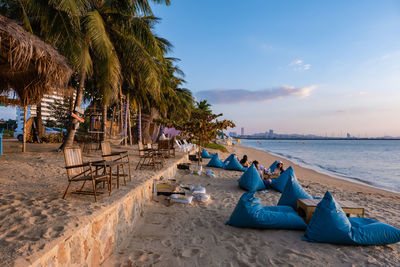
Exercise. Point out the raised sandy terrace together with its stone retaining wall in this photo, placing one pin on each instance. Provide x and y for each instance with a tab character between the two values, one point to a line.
35	220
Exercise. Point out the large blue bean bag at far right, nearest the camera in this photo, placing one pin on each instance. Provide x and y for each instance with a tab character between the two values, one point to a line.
329	224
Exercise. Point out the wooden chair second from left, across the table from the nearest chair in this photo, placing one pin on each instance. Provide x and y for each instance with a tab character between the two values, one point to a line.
116	159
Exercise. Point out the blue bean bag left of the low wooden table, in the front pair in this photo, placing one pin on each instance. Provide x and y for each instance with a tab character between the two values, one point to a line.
251	214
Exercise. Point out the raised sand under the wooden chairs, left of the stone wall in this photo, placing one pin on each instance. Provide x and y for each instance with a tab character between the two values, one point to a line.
33	215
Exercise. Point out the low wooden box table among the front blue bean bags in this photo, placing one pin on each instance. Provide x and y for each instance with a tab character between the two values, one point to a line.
306	207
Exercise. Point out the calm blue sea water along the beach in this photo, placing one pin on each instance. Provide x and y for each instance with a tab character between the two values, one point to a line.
373	162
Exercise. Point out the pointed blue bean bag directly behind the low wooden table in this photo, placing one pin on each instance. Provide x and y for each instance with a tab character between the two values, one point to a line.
292	192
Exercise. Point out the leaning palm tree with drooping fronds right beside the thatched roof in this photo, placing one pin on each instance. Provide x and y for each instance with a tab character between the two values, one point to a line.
81	29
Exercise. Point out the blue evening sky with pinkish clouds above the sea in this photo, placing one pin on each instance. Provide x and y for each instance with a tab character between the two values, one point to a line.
309	67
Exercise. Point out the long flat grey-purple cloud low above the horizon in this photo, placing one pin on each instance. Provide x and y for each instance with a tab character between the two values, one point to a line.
231	96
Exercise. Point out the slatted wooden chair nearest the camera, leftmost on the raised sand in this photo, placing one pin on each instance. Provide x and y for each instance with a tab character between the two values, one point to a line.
79	171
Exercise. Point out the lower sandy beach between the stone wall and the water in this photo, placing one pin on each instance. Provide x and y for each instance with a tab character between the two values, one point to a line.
196	235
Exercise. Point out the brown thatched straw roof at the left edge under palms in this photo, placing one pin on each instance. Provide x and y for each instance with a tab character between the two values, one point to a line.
29	66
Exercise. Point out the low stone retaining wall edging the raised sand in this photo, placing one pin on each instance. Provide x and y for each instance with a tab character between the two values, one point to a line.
94	242
